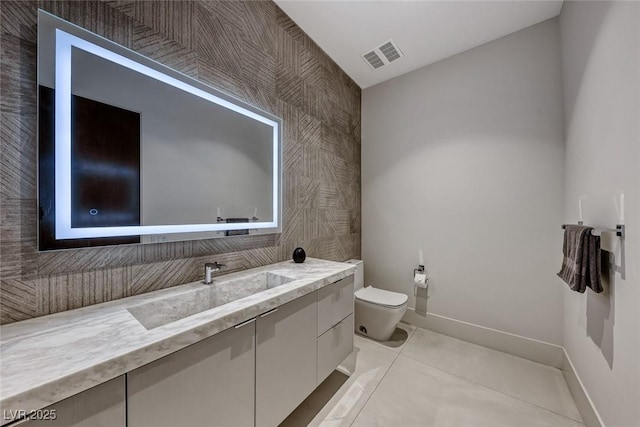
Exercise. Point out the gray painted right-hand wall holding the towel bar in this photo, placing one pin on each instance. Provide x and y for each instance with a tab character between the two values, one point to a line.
601	69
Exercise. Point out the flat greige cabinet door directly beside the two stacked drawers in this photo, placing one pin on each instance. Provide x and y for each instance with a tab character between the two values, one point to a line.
285	359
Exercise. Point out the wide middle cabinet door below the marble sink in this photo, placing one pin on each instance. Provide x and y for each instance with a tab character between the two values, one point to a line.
210	383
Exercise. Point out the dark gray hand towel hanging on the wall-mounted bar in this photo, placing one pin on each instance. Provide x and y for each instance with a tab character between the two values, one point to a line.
581	262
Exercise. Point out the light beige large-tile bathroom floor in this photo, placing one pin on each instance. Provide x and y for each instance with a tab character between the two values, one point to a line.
422	378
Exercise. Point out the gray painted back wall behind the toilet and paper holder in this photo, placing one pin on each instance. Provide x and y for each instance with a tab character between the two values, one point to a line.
464	159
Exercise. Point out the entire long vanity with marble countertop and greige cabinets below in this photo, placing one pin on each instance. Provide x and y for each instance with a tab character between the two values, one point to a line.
170	372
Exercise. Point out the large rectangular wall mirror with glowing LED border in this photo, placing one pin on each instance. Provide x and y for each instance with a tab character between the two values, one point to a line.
131	151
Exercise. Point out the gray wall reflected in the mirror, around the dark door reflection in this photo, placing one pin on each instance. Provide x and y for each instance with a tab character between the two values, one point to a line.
196	156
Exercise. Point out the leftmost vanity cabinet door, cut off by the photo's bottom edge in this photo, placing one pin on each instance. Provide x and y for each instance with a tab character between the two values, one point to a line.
100	406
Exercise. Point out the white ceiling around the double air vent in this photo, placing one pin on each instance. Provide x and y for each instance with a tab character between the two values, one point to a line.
425	31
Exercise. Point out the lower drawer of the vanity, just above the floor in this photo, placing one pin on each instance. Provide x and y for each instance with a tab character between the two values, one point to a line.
334	346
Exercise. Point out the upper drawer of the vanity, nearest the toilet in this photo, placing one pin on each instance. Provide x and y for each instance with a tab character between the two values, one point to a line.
335	302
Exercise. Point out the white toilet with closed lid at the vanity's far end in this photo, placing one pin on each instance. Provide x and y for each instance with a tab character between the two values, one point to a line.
377	312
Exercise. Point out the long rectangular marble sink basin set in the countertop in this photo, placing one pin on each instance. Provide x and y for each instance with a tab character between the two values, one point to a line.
222	291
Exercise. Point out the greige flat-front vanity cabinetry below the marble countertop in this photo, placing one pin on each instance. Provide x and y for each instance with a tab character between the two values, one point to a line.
253	374
